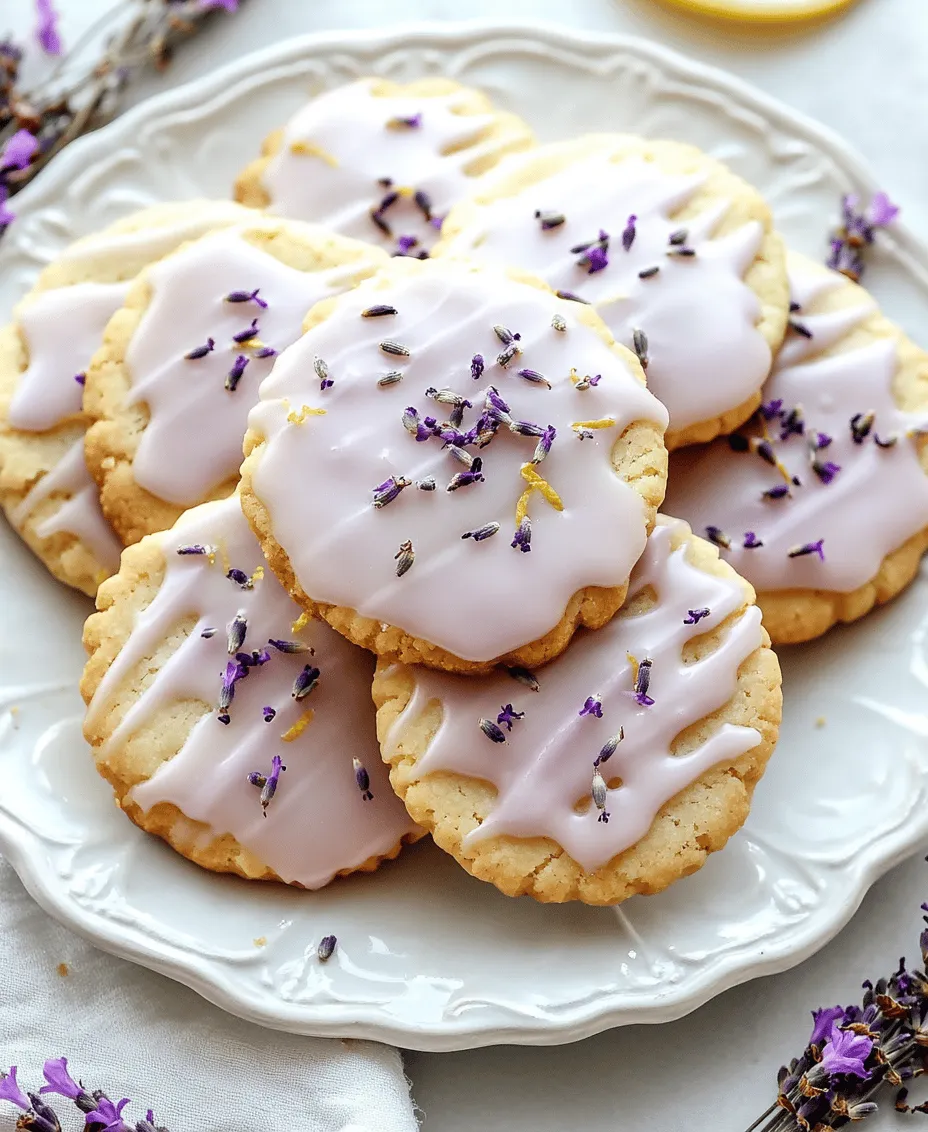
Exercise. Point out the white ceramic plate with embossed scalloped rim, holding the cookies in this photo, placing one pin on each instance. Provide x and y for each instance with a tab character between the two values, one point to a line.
428	957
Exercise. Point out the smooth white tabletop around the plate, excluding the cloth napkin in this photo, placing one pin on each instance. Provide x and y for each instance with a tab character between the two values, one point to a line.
865	76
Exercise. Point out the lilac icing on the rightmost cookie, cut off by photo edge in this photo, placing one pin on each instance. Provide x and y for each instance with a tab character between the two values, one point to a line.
877	501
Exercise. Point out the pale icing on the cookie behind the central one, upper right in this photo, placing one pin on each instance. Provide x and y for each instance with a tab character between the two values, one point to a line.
707	355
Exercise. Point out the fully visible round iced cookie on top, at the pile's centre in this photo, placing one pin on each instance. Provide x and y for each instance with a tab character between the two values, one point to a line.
475	476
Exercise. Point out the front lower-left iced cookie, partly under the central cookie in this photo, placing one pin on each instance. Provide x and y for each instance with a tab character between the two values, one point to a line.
228	724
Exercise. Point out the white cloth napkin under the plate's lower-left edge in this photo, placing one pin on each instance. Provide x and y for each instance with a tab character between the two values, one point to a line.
135	1034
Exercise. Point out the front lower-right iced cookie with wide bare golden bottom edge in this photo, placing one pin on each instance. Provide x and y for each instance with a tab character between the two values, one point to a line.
617	769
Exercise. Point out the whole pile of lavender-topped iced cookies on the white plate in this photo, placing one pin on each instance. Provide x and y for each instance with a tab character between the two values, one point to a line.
439	596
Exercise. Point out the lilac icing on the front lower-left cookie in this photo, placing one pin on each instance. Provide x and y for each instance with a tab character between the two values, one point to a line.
319	822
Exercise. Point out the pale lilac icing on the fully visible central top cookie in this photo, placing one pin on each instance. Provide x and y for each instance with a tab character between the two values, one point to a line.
477	599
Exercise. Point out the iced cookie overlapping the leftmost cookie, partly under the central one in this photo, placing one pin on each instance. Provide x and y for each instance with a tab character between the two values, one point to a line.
182	363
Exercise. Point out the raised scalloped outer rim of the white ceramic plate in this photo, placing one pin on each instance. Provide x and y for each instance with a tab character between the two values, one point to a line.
24	848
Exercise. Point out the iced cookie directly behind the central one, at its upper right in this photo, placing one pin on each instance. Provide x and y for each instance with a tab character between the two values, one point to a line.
675	252
